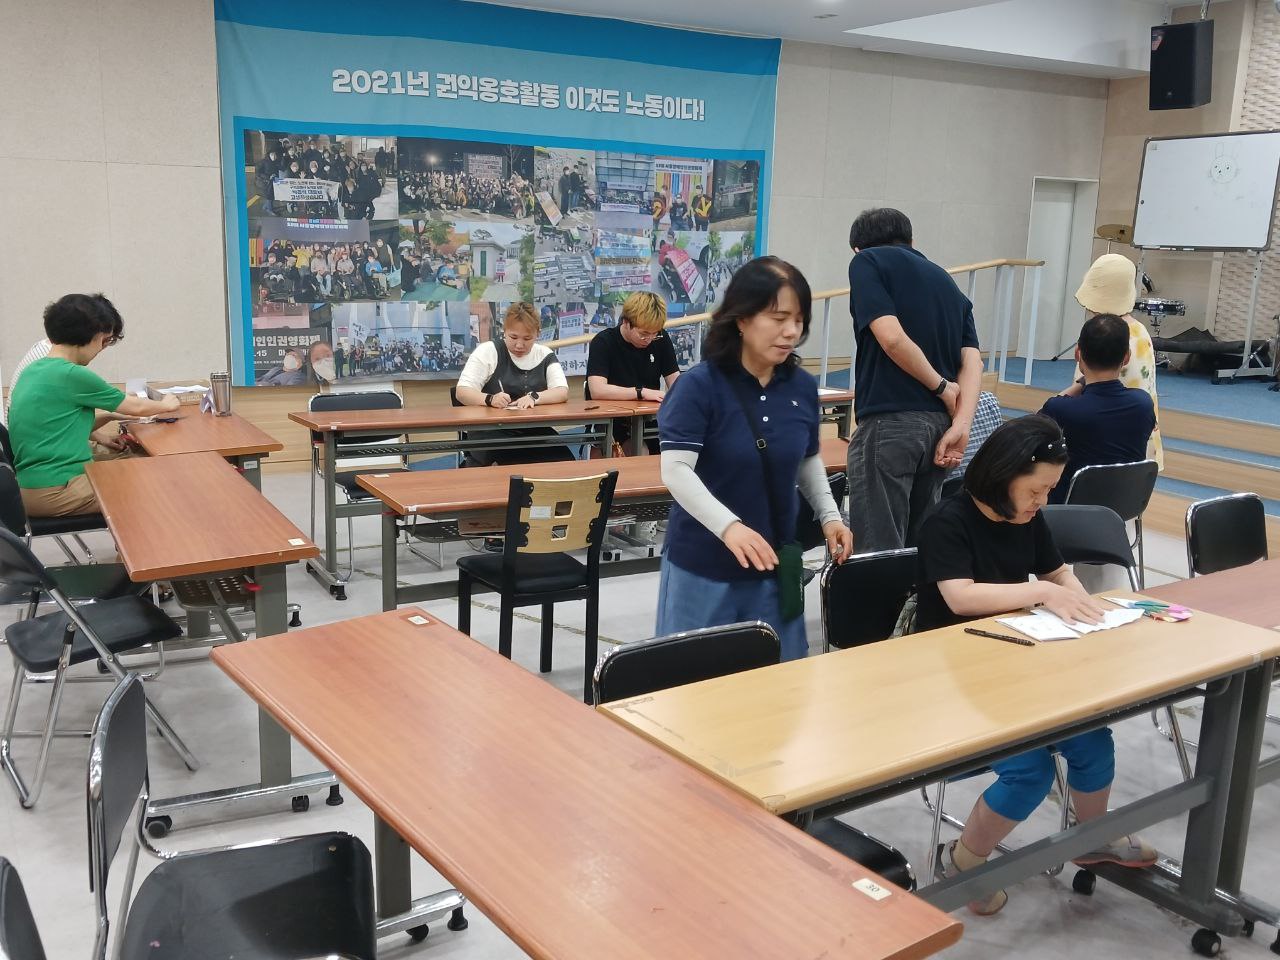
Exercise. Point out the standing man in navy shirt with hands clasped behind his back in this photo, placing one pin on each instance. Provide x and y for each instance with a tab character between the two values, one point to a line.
918	377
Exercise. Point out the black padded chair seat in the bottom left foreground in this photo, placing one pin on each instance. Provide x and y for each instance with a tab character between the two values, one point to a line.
307	897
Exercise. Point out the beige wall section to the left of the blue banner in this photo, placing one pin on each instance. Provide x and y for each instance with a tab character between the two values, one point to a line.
109	177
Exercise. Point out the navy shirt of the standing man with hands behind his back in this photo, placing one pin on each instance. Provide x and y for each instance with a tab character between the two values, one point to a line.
899	281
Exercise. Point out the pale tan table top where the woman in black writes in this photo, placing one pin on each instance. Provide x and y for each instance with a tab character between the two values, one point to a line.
807	733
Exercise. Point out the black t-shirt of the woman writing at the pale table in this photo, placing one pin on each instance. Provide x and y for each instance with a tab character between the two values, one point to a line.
958	542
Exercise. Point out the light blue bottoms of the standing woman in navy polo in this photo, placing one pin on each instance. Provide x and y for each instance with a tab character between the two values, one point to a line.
692	602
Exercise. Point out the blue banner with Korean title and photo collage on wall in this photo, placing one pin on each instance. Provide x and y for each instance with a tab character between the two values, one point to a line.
396	176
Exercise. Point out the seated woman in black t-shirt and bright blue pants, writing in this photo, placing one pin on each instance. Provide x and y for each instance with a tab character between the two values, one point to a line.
976	555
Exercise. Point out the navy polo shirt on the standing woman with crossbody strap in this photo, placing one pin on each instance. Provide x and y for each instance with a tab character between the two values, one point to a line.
702	414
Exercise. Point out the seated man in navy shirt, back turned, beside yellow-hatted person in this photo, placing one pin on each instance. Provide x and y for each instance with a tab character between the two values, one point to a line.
1104	420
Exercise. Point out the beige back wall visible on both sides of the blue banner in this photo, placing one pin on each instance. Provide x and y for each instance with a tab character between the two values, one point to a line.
109	167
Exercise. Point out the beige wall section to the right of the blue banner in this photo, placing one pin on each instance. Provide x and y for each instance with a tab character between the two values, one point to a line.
953	145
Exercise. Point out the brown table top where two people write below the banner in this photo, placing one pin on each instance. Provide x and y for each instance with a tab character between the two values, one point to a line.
446	417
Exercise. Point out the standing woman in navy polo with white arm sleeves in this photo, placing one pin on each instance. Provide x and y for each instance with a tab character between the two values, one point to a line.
735	509
